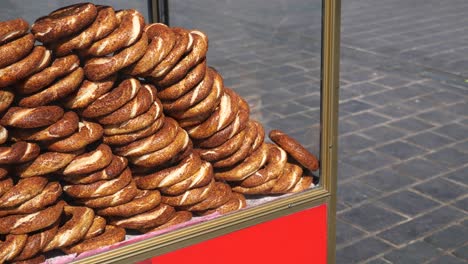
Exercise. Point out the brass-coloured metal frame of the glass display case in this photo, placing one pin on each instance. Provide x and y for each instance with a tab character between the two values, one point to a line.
325	193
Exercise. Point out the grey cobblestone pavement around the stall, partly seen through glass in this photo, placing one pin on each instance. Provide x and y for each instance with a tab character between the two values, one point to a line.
403	152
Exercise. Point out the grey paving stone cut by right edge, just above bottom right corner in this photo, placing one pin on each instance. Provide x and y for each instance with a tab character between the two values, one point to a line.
451	237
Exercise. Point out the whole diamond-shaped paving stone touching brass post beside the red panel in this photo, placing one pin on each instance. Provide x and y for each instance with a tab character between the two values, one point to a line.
371	217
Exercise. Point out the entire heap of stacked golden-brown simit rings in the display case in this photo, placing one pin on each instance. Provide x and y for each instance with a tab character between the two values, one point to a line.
131	124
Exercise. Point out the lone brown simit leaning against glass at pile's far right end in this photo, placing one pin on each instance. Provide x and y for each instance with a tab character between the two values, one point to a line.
295	149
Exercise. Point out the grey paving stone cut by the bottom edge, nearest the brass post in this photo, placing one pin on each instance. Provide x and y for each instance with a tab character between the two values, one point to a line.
362	250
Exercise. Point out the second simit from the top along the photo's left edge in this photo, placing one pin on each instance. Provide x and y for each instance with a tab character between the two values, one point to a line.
14	51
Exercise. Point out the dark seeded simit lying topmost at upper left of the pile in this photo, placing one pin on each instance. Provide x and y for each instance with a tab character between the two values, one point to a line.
64	22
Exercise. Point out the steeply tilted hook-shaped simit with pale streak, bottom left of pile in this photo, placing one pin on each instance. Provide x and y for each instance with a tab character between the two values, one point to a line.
74	229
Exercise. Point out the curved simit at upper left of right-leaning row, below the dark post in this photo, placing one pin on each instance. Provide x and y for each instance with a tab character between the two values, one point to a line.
162	41
